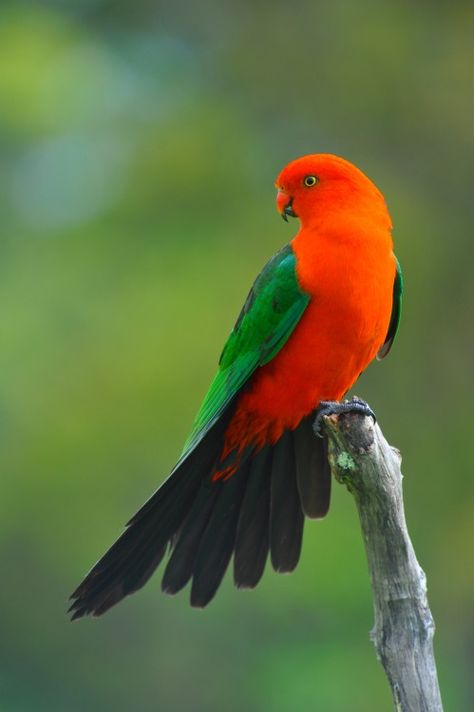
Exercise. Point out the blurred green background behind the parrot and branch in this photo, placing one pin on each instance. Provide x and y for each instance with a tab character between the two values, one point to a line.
140	143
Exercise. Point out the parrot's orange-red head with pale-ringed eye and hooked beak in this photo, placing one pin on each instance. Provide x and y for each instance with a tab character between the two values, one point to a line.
321	187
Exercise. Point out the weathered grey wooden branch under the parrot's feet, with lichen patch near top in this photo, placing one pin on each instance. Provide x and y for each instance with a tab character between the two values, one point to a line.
362	459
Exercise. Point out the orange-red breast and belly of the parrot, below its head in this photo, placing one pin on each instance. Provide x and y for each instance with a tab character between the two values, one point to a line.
350	282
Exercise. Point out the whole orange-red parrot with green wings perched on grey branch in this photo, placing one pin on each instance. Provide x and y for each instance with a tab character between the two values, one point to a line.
255	464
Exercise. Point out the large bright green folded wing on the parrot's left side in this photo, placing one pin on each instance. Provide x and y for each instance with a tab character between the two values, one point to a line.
271	311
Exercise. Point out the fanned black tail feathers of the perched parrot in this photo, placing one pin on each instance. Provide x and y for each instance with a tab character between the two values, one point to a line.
259	509
